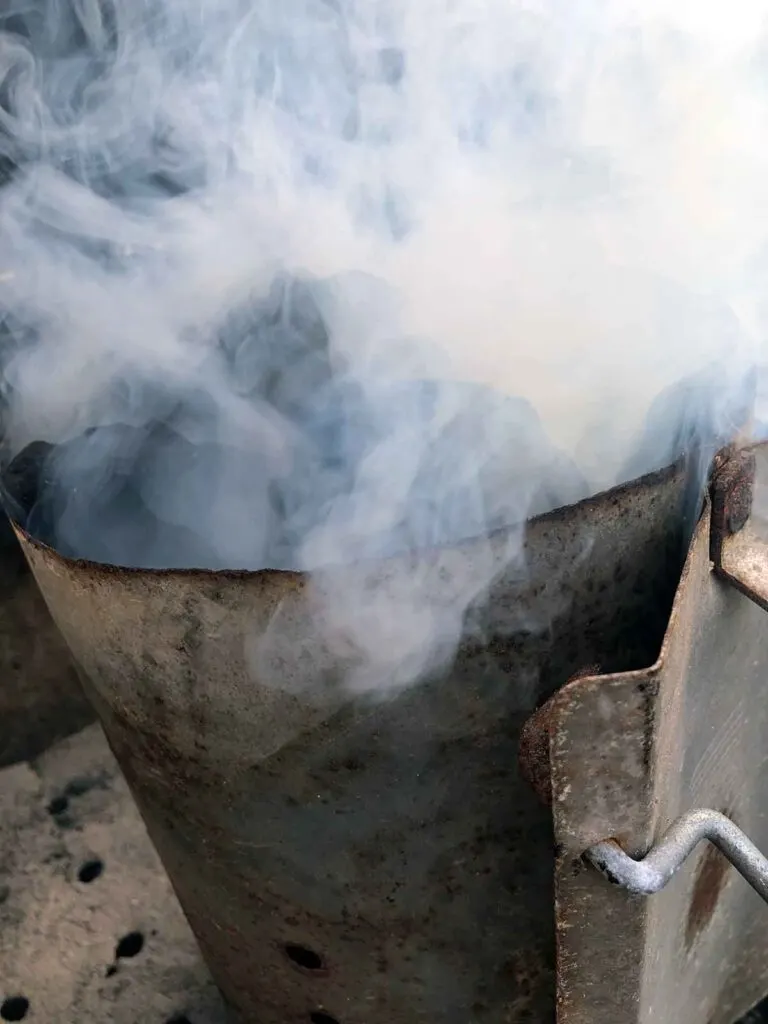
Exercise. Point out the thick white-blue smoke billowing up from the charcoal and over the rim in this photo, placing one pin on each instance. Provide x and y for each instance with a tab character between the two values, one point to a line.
293	284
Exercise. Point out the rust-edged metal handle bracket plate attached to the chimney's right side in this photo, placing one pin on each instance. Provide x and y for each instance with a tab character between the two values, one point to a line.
631	753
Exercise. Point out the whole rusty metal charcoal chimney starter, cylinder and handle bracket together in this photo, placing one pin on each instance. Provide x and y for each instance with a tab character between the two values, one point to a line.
364	862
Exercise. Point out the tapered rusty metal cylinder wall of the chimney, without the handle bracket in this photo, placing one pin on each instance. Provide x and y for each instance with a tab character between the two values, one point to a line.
395	846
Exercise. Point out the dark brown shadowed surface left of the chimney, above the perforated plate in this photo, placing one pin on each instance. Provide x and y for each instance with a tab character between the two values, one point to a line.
41	700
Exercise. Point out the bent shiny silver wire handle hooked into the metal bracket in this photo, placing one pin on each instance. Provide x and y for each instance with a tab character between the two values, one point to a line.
652	873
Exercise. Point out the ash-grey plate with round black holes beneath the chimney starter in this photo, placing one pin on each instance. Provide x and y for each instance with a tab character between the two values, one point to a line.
91	931
